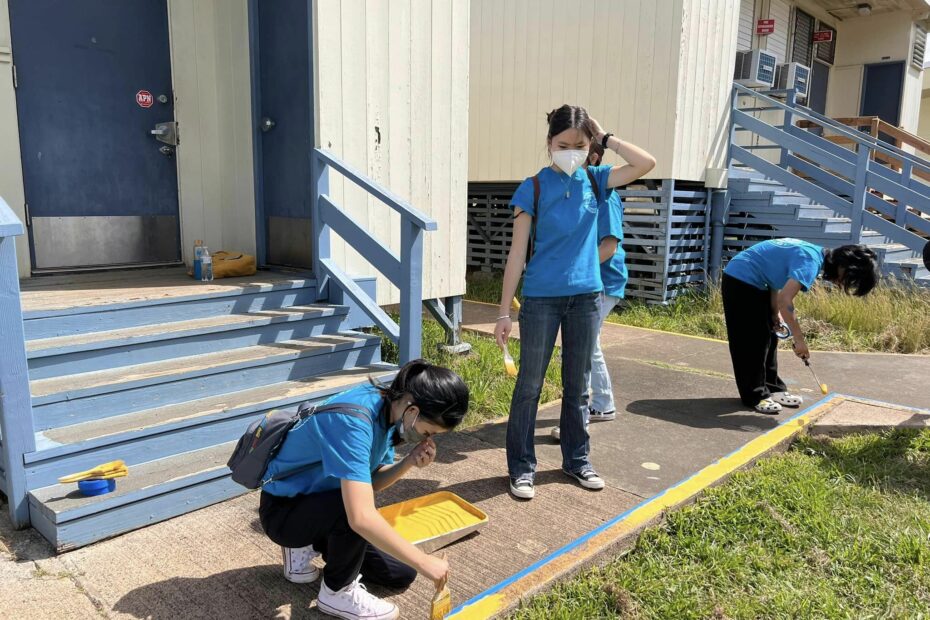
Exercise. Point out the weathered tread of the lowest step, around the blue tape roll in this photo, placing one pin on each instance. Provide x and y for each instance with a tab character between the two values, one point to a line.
59	499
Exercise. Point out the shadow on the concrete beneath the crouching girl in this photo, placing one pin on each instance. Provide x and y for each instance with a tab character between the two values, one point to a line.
251	592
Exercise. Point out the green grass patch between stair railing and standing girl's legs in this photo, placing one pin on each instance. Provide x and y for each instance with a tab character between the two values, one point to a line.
482	369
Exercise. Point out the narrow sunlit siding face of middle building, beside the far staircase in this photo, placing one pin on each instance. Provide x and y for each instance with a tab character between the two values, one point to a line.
708	49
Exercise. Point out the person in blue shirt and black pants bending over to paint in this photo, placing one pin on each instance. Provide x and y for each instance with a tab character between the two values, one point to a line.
759	286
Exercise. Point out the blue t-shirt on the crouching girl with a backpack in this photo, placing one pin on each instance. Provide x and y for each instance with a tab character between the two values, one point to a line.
348	447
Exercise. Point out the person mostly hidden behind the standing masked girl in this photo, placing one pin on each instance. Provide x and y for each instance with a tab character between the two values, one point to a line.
601	407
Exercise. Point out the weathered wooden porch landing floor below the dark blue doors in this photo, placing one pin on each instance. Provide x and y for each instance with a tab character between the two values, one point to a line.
50	293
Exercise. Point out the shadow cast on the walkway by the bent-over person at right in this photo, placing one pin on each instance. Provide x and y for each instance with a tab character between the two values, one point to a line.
705	413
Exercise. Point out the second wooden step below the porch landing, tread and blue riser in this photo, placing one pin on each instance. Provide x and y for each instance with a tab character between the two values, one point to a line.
71	399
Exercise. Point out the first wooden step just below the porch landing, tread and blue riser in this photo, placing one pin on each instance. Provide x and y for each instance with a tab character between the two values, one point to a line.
93	351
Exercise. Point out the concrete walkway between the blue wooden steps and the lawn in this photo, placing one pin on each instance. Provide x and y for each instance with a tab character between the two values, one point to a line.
677	414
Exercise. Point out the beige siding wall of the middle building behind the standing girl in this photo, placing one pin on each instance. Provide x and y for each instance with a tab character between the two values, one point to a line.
654	73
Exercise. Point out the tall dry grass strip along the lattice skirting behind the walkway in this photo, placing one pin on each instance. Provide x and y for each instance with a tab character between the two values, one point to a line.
892	319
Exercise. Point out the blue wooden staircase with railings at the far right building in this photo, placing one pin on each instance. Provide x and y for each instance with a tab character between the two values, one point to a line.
789	181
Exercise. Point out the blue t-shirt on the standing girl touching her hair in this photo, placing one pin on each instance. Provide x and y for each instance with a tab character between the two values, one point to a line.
564	260
